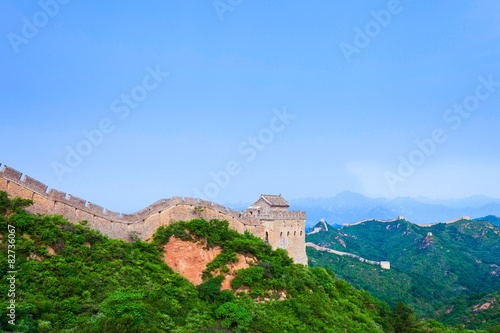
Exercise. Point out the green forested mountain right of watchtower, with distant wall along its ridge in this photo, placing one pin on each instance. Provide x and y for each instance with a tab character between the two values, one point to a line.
429	265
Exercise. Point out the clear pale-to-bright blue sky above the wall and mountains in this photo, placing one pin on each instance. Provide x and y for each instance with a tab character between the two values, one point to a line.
260	97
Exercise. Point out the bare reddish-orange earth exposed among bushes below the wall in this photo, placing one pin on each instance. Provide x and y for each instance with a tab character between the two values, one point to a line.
190	259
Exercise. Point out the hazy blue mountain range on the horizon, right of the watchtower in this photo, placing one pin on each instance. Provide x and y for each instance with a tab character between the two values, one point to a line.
349	207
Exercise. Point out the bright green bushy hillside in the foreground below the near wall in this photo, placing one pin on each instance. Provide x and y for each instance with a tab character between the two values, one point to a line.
73	279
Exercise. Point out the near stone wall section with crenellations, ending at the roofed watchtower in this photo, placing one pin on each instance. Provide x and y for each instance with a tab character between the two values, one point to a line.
268	218
